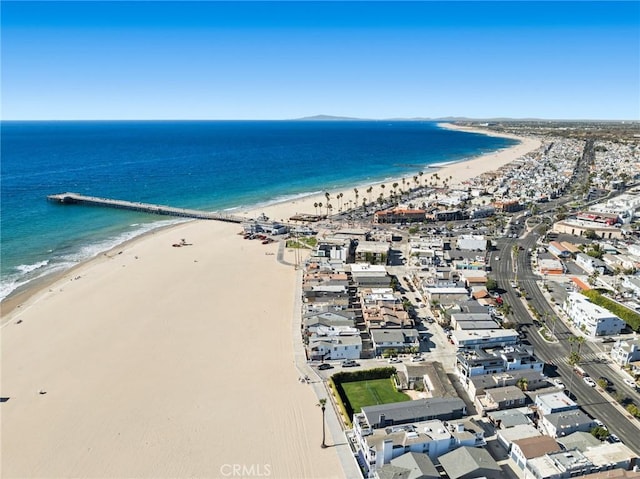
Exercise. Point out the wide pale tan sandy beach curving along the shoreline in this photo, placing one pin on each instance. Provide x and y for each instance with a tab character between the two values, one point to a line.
161	361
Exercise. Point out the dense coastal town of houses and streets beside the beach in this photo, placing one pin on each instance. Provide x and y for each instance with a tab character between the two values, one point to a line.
486	328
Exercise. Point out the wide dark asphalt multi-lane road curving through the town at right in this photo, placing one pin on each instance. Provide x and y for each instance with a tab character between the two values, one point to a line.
556	355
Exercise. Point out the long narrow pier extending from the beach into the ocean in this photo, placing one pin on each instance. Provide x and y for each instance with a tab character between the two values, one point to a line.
75	198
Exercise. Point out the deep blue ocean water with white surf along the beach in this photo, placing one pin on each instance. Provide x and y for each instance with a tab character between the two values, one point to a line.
212	165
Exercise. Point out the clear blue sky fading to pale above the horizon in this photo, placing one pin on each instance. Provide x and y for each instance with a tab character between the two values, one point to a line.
280	60
